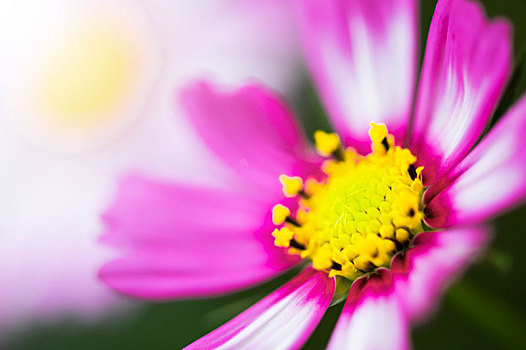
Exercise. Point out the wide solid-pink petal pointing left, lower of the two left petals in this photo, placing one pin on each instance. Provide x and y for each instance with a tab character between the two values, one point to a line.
180	241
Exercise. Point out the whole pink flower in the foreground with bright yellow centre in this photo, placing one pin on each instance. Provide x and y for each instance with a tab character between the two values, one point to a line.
398	223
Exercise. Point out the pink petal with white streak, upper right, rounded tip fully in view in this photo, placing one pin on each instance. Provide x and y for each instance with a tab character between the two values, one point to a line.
466	66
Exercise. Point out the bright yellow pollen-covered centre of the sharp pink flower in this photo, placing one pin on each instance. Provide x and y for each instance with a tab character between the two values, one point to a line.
365	209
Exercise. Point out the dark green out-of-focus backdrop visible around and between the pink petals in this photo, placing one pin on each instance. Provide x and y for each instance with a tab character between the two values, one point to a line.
484	310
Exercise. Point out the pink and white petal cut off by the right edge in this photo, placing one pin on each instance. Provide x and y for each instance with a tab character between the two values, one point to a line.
492	178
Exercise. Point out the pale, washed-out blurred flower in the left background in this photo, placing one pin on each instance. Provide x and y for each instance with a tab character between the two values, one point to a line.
86	93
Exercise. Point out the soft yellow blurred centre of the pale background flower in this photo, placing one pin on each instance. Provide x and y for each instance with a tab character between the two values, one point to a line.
87	76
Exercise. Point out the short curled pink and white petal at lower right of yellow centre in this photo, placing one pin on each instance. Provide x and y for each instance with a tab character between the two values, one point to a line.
432	264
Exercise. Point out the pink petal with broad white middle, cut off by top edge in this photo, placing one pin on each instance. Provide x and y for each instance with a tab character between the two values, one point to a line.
362	55
